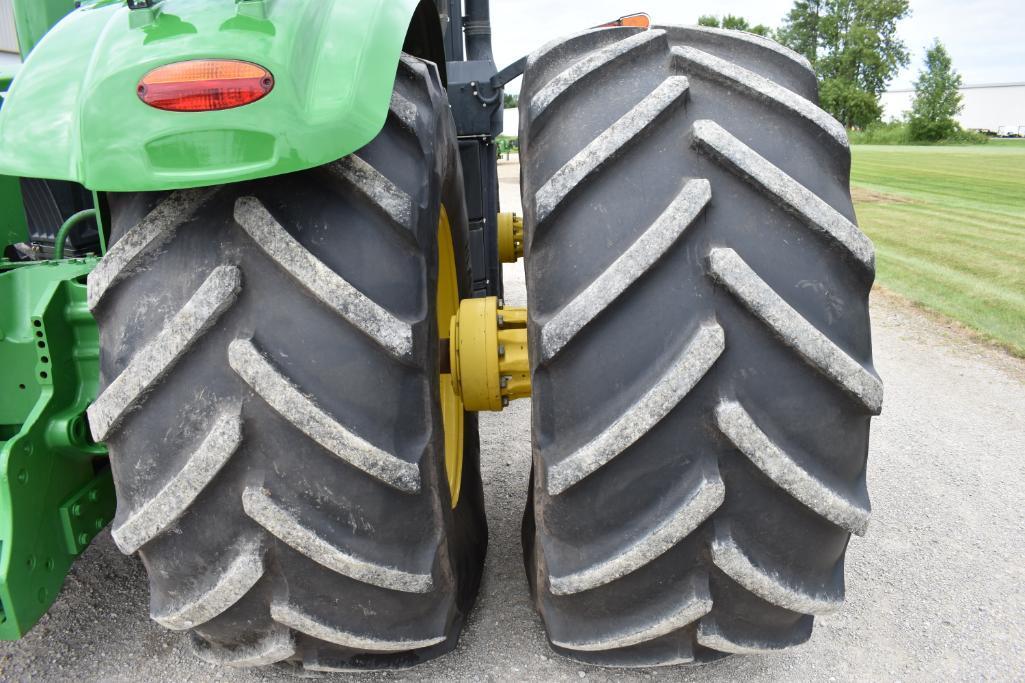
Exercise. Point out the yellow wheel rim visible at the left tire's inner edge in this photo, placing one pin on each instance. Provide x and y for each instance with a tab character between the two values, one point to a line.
448	305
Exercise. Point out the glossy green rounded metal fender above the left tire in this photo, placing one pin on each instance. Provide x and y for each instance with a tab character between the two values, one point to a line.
73	112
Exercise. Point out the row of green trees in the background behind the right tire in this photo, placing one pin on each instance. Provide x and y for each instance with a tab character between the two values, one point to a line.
854	48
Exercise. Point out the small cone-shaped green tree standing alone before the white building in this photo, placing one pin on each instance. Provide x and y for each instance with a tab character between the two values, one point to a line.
937	98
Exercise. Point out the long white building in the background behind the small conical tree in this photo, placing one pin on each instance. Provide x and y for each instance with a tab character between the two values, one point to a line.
998	107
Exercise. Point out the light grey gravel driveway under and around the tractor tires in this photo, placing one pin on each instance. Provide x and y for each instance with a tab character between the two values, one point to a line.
935	591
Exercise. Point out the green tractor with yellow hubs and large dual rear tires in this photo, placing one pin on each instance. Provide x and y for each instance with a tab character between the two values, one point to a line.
252	304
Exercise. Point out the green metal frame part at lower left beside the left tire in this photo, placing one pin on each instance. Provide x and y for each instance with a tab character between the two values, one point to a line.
56	487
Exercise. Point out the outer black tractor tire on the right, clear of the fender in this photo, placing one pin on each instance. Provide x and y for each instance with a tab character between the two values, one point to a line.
701	347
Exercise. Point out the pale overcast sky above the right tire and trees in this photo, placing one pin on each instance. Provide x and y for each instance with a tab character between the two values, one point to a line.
987	38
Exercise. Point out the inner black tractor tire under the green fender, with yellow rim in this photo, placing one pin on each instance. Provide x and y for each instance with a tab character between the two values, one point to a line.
284	448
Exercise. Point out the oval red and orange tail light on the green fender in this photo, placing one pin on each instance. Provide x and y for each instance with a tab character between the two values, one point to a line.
206	86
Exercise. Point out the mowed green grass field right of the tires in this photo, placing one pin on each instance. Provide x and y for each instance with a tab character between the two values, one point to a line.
949	224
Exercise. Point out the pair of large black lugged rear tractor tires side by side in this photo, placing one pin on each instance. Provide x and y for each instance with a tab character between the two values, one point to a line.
703	379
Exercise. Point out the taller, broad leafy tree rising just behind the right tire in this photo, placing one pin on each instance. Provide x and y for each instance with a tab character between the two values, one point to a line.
854	48
